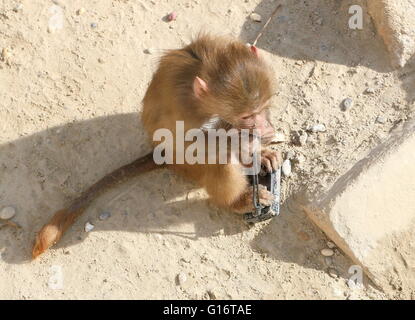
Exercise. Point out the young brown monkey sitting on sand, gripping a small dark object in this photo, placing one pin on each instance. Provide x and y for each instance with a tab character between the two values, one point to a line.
213	82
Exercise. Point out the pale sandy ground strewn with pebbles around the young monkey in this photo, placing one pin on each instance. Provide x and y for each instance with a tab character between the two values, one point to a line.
70	97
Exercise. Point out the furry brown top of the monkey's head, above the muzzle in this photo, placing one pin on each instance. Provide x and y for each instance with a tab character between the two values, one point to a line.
232	77
